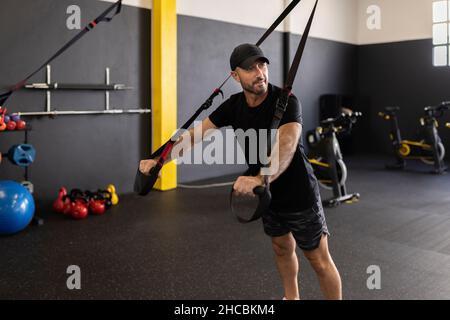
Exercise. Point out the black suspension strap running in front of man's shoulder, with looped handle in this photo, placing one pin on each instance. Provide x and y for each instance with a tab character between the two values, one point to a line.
263	192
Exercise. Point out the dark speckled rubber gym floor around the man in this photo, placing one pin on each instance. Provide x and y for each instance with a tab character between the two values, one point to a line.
186	244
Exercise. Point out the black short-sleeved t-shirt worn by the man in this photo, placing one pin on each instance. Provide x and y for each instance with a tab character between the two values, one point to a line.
296	188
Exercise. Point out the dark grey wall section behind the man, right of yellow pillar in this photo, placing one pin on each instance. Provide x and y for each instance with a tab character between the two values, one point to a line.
204	49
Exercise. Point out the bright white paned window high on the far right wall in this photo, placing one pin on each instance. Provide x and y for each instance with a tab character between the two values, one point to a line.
441	33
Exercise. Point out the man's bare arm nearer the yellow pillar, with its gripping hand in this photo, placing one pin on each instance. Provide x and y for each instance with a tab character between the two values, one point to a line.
192	134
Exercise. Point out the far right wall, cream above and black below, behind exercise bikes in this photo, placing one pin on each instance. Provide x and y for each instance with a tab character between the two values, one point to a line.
395	68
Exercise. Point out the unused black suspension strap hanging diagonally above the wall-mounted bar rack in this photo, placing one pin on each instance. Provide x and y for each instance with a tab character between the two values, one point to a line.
103	17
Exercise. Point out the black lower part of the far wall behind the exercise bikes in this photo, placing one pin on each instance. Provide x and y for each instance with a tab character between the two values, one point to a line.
399	74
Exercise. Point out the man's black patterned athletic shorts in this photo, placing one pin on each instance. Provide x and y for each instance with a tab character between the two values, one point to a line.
307	226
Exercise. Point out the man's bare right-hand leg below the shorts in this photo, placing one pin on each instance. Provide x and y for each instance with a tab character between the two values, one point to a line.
323	265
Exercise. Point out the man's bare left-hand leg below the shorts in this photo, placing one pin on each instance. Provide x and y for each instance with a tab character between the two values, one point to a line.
287	263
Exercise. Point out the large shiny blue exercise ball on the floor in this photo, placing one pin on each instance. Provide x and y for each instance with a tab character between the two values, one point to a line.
16	207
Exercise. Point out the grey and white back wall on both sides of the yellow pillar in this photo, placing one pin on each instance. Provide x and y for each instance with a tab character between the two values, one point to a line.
90	151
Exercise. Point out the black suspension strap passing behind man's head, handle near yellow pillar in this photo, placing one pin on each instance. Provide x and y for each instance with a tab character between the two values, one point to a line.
143	184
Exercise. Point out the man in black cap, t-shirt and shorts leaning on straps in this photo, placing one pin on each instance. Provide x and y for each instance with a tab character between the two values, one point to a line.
296	216
